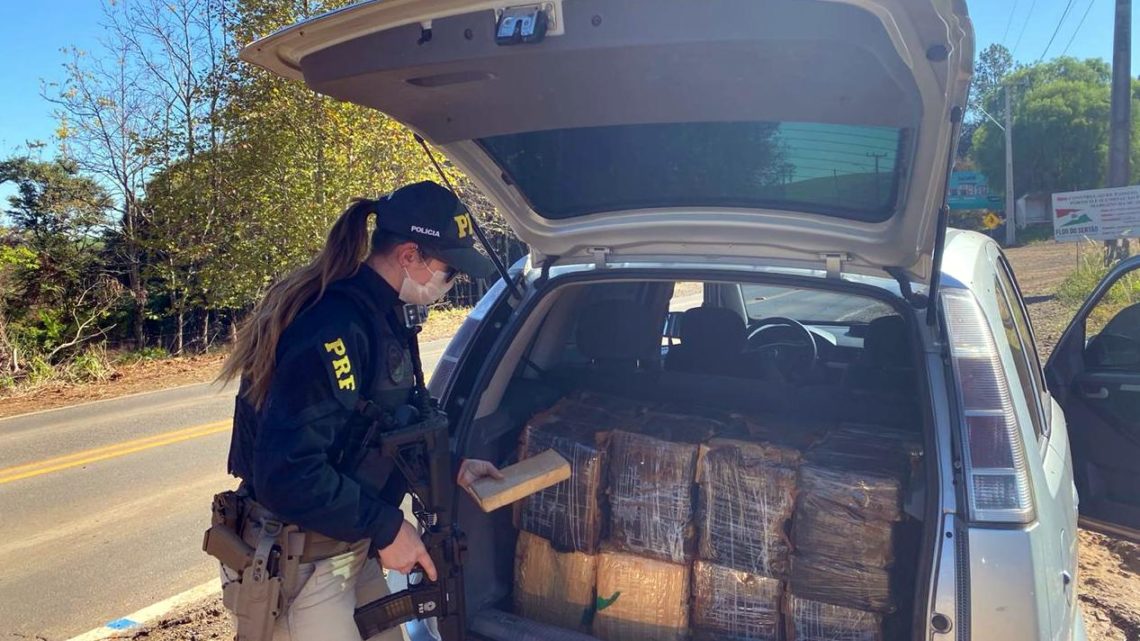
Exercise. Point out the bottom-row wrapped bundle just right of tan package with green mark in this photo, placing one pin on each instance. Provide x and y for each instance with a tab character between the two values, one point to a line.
735	606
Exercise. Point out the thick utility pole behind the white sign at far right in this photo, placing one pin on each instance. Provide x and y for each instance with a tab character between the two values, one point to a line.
1121	123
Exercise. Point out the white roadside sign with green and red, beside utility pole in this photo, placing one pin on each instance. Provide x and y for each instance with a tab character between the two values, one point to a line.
1098	215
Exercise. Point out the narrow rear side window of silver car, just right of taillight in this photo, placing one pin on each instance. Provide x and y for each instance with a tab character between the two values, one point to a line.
1020	336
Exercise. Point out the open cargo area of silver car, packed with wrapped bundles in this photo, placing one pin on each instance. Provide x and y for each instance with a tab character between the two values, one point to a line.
699	505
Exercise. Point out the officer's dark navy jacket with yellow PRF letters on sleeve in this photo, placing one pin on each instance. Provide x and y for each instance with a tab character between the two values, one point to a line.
352	346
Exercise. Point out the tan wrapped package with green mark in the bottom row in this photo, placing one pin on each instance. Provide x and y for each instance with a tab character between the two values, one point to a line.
641	599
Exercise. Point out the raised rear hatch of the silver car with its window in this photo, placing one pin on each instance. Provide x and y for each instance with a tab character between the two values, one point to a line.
809	133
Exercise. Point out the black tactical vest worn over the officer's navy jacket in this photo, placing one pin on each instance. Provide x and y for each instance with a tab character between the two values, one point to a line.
388	385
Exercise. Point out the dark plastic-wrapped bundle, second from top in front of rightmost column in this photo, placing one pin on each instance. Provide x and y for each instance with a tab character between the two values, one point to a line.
840	534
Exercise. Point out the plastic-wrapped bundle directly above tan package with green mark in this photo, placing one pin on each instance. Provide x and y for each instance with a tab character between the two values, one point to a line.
652	485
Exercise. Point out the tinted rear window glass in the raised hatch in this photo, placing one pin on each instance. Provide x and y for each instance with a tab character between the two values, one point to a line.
846	172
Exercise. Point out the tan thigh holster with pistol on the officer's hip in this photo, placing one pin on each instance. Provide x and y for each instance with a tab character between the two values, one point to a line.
265	554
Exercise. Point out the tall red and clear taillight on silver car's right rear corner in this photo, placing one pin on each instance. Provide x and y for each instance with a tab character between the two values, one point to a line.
997	473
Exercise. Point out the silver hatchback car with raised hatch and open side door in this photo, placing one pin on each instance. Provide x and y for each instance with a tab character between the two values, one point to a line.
740	206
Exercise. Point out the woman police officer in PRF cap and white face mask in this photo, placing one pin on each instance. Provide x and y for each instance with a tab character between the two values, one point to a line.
324	342
